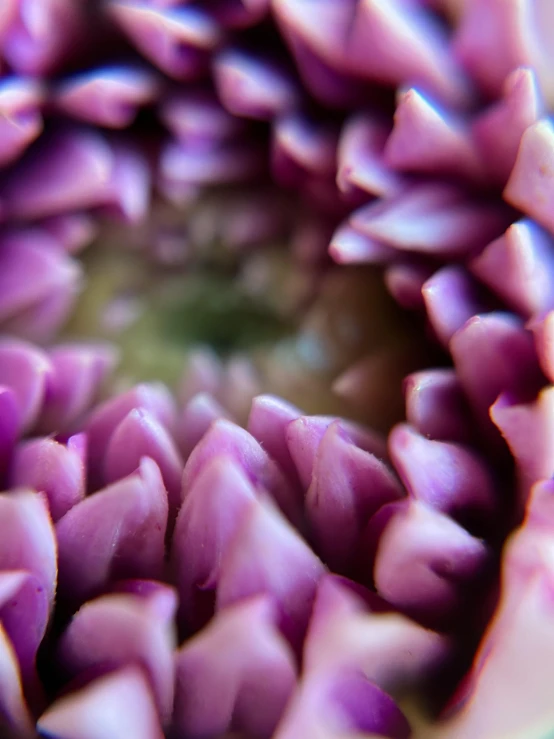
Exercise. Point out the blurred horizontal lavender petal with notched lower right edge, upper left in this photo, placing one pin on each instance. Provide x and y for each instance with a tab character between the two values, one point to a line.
109	96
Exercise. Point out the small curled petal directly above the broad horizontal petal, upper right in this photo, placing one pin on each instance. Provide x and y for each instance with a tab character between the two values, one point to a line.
361	165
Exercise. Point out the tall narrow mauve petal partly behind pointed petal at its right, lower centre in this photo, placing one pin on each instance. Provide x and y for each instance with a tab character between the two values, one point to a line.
215	508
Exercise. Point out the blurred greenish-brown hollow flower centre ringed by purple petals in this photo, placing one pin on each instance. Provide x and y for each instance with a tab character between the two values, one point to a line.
275	323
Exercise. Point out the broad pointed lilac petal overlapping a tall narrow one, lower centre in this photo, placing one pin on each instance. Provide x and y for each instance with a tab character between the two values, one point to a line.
267	556
